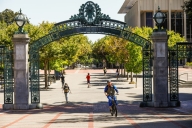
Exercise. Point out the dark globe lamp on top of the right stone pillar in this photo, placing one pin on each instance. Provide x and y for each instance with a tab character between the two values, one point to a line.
159	18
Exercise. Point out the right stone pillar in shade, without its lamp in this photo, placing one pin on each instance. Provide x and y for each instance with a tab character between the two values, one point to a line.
160	69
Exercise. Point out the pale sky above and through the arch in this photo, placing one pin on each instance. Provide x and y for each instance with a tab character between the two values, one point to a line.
60	10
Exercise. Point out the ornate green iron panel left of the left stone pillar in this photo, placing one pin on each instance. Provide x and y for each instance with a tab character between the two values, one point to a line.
6	67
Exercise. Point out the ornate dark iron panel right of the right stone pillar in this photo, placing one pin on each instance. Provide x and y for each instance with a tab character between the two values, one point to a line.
180	50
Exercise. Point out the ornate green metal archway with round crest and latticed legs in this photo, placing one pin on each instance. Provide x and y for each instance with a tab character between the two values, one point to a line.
90	20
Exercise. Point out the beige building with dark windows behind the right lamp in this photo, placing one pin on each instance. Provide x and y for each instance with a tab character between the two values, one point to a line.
140	13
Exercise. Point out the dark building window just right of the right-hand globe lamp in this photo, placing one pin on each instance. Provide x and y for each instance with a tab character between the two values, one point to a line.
177	22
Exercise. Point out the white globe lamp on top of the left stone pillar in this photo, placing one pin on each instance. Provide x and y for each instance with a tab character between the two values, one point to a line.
20	21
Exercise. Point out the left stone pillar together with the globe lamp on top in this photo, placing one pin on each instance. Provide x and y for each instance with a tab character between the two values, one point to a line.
21	82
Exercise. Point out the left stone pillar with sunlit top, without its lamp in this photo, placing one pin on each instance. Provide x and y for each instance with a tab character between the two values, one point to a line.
21	73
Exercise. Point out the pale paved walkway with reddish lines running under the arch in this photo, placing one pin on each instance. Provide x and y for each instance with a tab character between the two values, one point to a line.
88	106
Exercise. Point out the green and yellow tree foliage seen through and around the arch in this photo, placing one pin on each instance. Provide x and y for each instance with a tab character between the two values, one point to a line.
69	51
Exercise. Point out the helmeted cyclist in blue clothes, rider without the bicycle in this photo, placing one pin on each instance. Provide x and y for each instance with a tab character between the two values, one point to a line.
109	91
